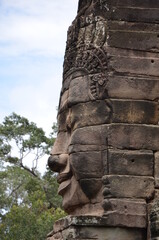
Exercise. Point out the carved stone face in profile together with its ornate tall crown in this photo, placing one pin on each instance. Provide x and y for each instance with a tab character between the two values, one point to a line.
79	152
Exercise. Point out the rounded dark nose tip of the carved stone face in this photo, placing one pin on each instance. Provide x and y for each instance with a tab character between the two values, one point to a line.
57	162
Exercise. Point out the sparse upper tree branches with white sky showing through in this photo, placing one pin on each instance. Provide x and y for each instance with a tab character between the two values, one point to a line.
19	135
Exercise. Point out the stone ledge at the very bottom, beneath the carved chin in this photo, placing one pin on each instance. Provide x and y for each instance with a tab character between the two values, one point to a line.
87	227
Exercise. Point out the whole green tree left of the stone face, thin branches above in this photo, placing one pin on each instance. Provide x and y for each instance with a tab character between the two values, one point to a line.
29	203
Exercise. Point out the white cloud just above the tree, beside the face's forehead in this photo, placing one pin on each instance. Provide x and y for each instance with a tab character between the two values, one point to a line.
37	103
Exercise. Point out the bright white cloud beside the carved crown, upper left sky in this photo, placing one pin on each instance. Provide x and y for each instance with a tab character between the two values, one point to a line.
31	35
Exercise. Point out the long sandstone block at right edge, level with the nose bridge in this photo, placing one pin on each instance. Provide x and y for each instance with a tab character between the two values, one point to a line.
126	136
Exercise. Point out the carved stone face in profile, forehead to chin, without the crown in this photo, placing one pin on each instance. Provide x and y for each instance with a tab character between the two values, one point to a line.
80	148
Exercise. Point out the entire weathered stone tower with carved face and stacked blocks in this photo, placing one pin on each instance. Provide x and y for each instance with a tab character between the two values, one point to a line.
107	148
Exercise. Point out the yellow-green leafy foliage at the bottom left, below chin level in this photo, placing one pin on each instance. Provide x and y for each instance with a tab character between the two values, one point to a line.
26	223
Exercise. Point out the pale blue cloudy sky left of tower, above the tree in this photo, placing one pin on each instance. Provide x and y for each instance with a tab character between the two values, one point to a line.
32	45
